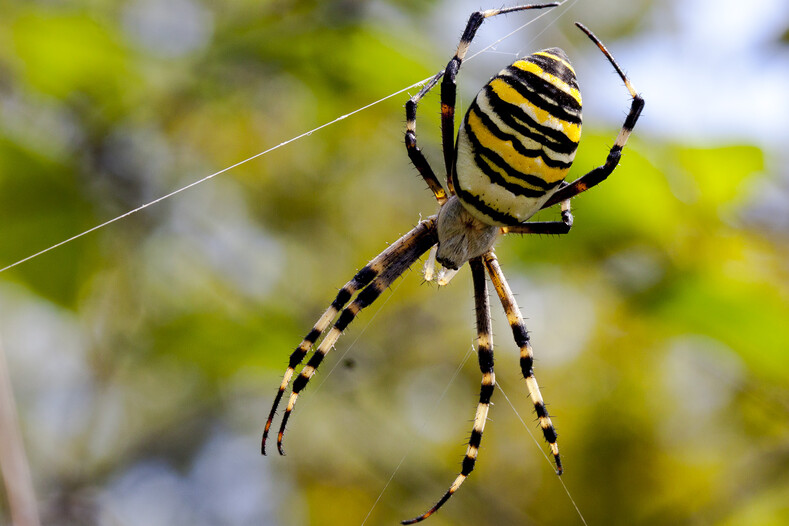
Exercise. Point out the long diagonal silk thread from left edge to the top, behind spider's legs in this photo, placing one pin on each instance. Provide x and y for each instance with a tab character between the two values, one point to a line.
264	152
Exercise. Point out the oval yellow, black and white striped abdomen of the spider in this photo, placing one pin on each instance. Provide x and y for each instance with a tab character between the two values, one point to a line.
518	139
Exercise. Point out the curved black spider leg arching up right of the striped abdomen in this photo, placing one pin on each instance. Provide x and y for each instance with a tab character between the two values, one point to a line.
600	173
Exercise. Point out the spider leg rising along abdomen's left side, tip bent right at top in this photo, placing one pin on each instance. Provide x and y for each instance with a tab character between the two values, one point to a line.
449	86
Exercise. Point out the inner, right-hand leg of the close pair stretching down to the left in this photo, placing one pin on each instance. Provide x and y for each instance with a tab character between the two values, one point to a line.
400	256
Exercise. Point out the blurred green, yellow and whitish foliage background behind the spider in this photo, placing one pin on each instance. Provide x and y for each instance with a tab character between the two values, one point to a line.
144	356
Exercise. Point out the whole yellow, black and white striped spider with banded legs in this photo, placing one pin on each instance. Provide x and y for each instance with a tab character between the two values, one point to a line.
508	160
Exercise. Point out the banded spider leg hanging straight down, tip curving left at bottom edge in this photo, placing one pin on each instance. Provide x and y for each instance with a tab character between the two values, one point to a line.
485	354
